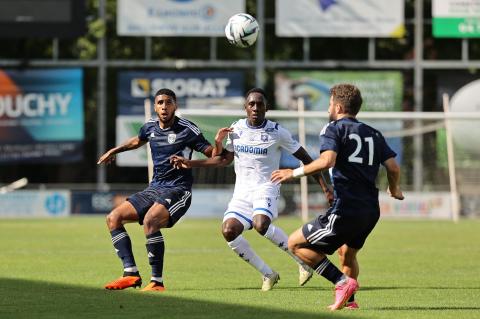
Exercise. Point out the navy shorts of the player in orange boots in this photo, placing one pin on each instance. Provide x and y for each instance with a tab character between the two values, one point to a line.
176	201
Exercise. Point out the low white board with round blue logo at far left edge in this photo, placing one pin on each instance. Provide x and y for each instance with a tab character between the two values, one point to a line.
35	203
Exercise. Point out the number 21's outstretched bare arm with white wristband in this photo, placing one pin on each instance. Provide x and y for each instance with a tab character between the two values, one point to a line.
326	160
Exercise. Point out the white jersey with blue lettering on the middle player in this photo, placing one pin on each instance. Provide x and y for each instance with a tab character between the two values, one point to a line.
257	151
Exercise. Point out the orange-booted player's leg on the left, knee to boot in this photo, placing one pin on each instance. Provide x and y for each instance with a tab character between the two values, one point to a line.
124	213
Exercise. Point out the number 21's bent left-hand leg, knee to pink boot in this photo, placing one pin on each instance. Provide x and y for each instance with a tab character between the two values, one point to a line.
344	285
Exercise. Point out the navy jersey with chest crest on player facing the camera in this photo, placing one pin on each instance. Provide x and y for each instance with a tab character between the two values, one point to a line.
182	138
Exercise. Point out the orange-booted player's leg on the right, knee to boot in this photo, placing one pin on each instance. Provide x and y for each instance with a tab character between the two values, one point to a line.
156	218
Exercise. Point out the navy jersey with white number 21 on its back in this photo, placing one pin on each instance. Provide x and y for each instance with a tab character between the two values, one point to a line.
360	151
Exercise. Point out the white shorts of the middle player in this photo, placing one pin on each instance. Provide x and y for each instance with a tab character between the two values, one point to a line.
246	204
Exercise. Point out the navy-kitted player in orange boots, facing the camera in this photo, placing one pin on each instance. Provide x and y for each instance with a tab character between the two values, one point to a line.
168	196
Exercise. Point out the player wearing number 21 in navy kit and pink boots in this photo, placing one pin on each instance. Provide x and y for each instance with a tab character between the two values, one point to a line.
353	151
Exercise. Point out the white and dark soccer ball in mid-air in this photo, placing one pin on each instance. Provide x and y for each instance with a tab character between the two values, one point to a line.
242	30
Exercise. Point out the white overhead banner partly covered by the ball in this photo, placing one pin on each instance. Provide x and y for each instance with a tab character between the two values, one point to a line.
200	18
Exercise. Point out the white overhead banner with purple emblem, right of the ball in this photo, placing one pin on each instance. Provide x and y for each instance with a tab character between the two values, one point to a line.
340	18
